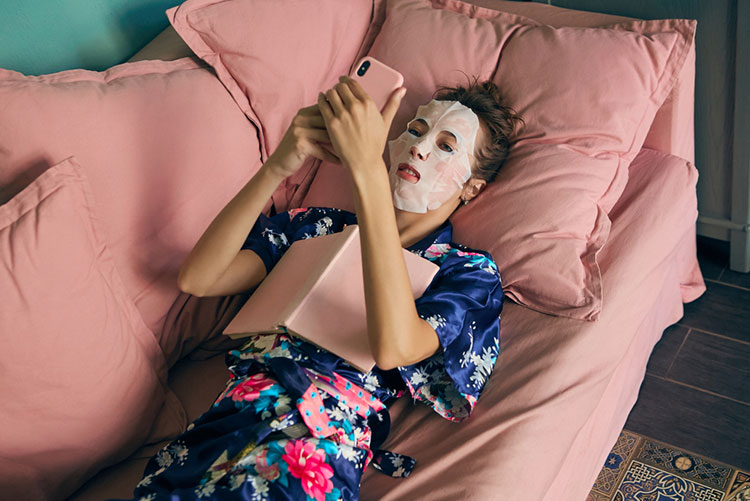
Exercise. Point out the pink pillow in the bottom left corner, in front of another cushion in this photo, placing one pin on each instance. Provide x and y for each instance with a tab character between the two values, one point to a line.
82	376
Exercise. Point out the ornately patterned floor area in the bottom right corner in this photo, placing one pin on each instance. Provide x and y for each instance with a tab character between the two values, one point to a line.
642	469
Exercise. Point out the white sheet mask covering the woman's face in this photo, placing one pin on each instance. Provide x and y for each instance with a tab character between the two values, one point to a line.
441	171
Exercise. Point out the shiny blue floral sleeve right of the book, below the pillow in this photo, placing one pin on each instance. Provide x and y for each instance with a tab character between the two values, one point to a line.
463	305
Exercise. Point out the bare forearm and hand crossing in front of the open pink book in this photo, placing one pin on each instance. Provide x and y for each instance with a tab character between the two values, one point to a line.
358	131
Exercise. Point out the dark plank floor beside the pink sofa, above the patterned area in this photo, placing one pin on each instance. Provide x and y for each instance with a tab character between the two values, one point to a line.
696	394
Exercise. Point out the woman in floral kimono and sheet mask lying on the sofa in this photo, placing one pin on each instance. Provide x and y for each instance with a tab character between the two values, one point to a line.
296	421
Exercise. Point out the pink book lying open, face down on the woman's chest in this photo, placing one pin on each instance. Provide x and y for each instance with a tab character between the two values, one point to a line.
316	292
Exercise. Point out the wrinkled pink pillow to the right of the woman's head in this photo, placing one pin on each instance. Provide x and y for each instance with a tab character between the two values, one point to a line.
587	114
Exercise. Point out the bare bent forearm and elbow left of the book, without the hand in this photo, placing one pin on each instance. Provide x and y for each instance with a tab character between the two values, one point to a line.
216	265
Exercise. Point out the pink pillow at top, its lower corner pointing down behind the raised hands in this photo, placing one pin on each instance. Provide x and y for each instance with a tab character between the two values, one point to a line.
274	57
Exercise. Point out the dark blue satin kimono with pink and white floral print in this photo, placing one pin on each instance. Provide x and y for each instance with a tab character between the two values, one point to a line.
298	422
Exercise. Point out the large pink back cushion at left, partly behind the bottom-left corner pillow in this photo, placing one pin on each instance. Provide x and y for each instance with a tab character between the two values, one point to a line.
164	146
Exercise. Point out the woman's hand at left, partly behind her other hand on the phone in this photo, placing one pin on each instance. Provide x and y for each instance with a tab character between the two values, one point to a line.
300	141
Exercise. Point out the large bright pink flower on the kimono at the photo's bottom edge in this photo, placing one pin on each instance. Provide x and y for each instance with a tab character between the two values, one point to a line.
308	464
